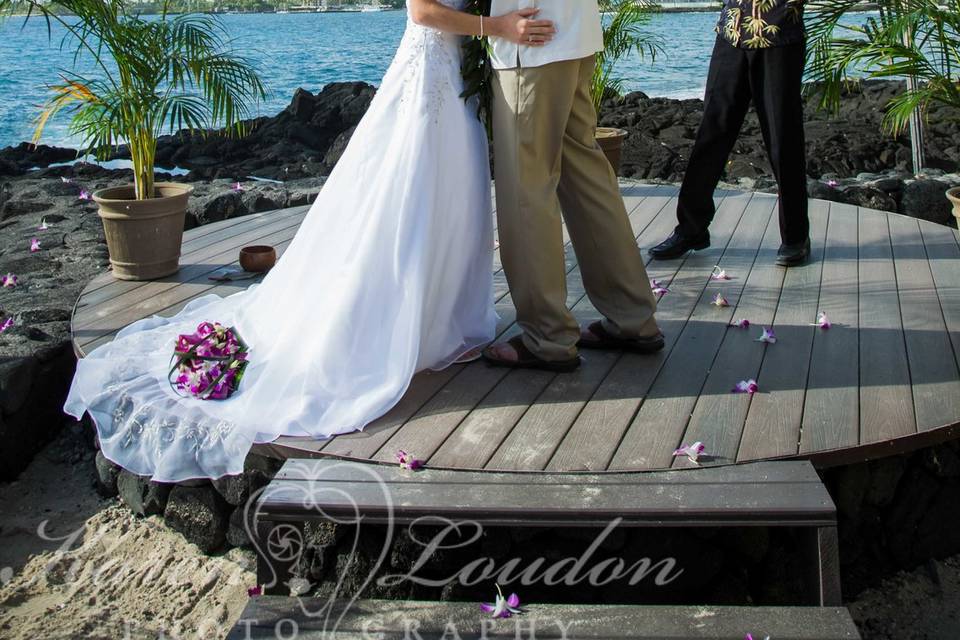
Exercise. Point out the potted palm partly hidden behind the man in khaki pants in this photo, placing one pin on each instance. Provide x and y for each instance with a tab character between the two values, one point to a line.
623	34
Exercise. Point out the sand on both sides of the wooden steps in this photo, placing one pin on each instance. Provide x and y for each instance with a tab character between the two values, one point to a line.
108	574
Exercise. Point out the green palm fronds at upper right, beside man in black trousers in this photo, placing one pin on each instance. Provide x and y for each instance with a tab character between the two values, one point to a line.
910	38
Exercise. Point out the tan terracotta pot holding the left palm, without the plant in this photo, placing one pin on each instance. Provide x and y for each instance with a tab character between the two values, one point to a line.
144	236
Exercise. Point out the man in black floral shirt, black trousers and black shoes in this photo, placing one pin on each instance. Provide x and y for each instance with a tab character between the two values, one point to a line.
758	57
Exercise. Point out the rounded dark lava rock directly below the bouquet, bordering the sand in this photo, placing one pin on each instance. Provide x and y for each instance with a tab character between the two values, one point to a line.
199	514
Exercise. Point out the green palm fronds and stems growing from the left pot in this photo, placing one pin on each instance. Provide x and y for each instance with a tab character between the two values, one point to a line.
150	74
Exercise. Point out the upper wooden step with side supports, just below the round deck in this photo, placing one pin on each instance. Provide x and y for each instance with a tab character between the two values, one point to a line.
778	494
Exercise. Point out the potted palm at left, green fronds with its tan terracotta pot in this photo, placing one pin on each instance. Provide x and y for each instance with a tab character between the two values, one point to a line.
149	75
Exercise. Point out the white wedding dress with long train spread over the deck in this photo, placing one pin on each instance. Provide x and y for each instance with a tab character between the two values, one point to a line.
389	274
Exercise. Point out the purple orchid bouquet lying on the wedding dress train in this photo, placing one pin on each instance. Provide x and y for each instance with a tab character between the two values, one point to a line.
209	363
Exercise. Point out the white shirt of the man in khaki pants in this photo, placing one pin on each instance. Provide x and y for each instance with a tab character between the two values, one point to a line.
579	33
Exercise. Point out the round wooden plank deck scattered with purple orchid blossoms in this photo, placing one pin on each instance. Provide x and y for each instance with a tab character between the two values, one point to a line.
884	379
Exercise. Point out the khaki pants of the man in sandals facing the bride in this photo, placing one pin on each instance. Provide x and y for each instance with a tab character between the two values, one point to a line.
547	158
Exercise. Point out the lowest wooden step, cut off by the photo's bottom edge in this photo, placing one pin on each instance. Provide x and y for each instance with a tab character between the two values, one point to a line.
309	619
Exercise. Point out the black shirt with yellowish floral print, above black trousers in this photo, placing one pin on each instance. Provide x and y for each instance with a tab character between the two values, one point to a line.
760	24
